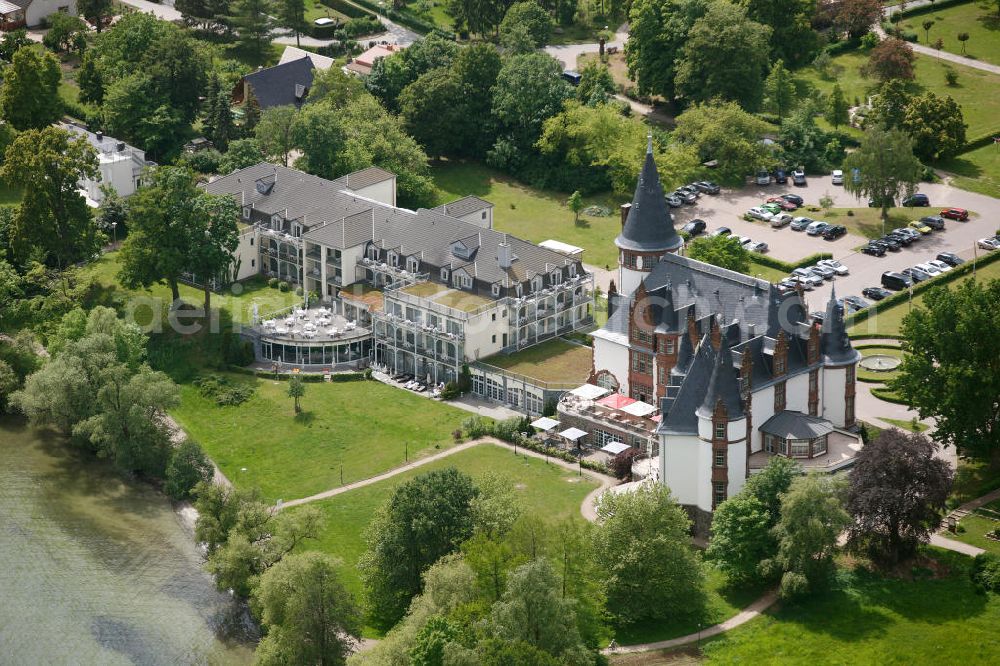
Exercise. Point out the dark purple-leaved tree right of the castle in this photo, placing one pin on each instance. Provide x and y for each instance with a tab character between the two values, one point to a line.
896	495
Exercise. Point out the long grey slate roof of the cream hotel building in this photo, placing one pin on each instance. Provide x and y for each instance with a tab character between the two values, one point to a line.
333	216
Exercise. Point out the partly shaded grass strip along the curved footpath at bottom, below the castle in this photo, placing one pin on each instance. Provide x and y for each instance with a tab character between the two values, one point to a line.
722	603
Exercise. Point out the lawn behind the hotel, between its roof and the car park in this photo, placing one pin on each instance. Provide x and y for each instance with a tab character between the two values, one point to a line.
531	214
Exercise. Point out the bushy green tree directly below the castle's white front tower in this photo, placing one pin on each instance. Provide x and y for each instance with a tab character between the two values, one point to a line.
642	548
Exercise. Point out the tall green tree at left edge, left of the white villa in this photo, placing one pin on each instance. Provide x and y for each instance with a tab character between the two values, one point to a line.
53	217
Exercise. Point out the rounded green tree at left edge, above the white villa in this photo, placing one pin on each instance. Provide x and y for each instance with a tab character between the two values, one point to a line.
29	98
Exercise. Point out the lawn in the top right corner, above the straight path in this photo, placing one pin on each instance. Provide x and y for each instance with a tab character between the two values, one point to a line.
978	19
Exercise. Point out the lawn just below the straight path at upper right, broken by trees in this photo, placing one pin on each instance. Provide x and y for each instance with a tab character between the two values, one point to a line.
975	90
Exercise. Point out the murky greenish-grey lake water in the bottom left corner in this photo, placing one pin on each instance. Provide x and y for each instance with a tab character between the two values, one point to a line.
95	570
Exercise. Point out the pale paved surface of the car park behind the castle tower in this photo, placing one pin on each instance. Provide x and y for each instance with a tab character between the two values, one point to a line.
727	209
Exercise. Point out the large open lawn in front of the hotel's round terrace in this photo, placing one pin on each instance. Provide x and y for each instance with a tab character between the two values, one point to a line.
364	426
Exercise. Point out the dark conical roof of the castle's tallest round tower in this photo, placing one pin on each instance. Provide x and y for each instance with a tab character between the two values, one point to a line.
649	226
